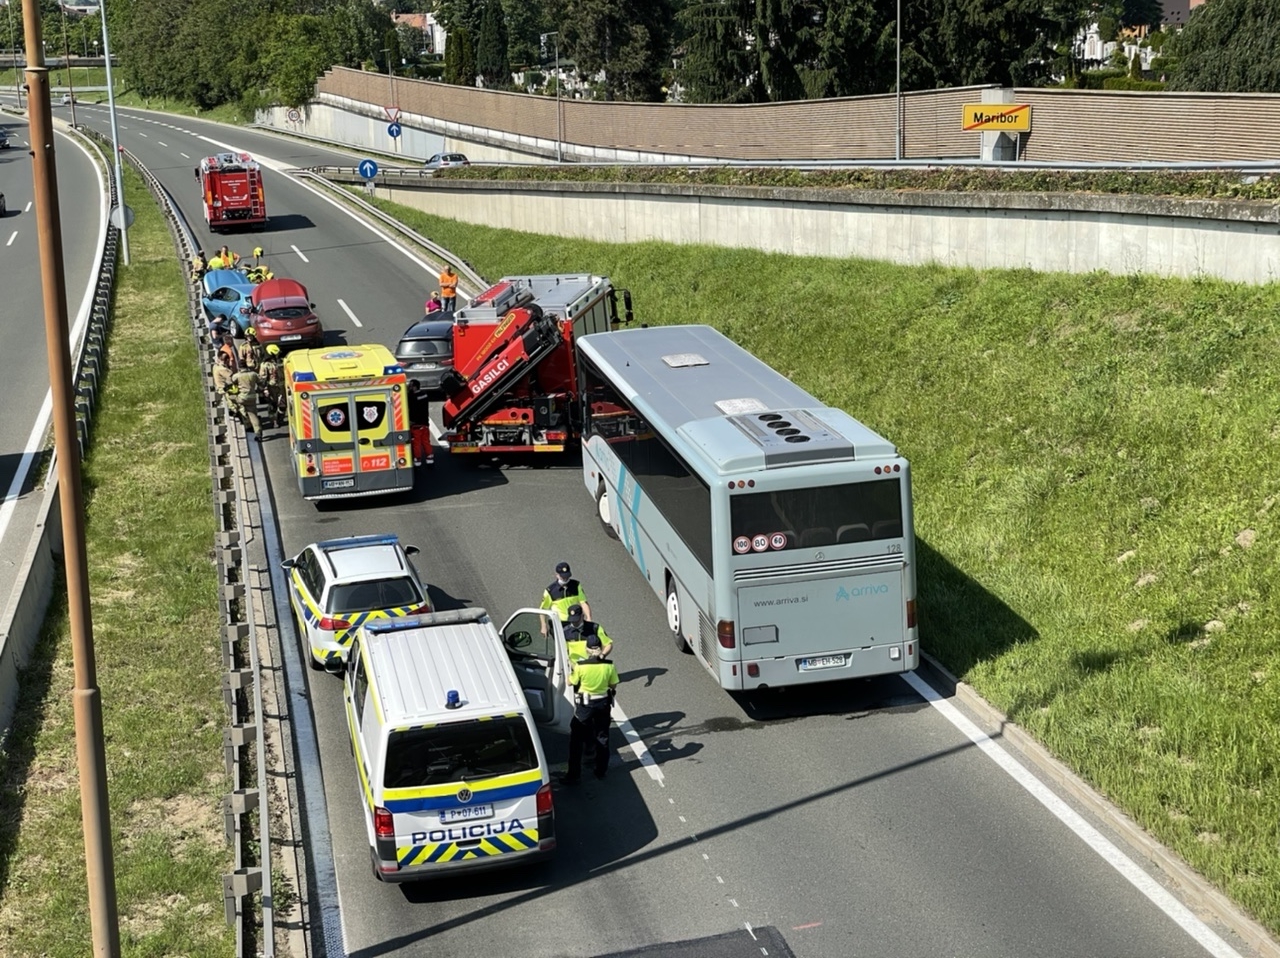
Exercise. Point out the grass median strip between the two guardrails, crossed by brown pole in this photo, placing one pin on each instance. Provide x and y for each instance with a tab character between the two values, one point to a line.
150	527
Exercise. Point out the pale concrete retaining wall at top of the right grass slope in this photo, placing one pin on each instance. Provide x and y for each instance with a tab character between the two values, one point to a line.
1050	232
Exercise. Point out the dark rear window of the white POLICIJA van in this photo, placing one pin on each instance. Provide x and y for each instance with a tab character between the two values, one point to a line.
459	752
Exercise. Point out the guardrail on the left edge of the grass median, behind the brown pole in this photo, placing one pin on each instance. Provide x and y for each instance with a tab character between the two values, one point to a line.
20	628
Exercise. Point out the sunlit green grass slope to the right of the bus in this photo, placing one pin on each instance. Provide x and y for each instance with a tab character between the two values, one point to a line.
1095	498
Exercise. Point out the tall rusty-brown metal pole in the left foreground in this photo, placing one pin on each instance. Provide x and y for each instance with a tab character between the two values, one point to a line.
86	697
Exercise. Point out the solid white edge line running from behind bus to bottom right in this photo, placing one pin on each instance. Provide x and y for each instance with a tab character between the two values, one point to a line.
1113	856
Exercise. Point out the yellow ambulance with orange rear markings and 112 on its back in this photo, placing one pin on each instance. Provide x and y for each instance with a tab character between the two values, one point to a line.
349	422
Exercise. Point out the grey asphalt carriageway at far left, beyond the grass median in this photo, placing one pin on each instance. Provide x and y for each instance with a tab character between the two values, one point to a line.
24	361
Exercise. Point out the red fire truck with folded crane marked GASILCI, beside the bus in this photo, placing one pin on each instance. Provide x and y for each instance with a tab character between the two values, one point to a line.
514	384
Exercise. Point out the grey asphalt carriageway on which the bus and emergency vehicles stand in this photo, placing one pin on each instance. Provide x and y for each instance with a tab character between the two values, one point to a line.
844	820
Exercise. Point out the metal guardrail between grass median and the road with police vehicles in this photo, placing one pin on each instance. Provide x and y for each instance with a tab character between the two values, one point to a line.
245	809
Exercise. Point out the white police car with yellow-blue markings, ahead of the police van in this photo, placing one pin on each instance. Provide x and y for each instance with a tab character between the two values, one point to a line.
340	585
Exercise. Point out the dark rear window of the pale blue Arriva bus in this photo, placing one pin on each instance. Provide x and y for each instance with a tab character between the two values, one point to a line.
798	519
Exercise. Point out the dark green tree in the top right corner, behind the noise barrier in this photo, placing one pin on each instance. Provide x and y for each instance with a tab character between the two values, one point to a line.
1229	47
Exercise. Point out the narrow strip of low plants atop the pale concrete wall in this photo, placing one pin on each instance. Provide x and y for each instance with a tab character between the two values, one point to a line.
1224	185
